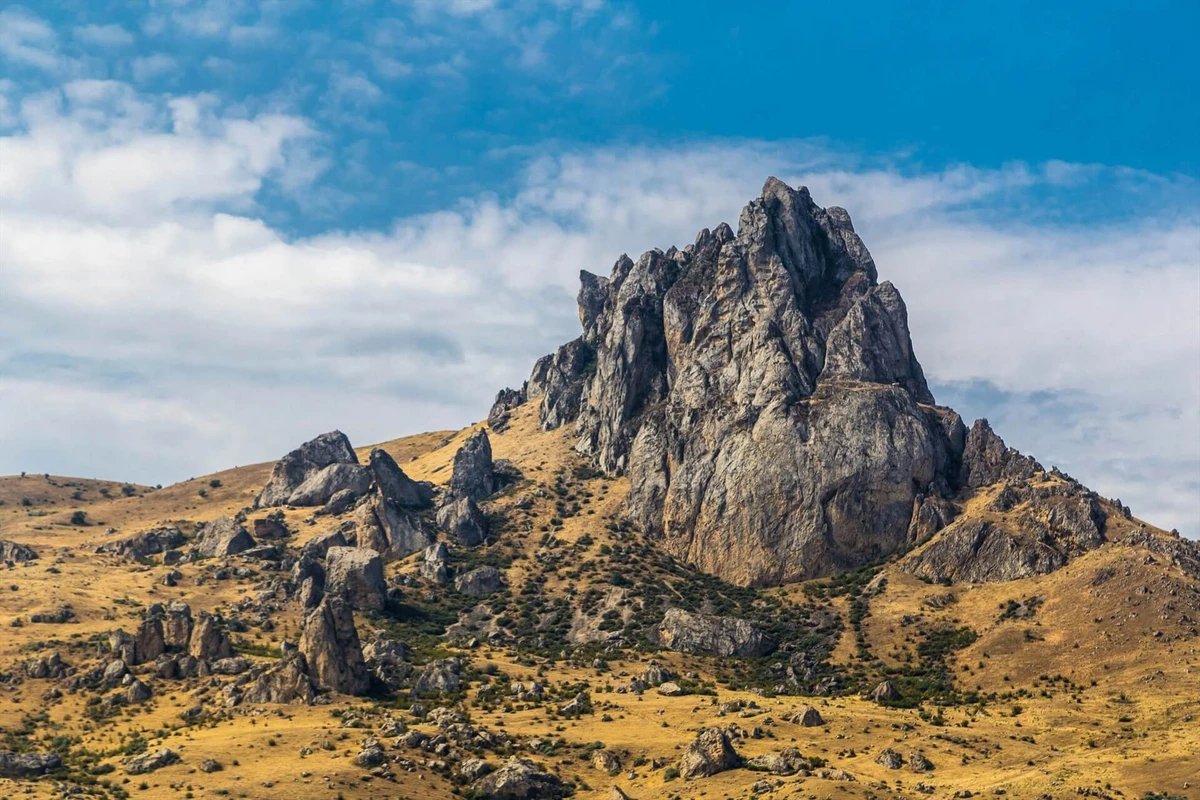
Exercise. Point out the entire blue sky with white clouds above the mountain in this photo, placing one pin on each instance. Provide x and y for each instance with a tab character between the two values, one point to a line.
227	226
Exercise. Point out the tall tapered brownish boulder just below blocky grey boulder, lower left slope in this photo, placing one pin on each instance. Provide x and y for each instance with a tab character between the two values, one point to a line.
332	649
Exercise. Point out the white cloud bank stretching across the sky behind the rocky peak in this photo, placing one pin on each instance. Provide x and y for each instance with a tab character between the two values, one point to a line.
159	323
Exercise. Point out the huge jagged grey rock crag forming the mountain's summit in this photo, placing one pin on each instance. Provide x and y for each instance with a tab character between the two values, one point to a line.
761	393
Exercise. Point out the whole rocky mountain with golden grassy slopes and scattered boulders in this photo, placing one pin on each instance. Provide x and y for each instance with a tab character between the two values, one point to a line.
723	544
